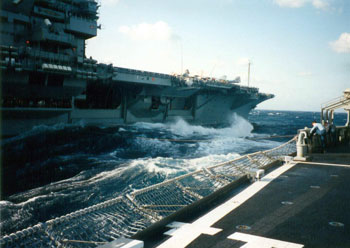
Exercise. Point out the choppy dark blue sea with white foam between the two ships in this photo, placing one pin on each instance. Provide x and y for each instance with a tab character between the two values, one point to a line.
51	171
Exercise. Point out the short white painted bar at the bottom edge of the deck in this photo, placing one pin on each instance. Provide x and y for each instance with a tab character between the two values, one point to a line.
254	241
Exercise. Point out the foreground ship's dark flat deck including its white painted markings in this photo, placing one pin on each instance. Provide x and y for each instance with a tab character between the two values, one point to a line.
300	204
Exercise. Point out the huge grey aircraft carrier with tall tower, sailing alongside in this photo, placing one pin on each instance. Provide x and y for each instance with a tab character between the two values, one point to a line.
46	77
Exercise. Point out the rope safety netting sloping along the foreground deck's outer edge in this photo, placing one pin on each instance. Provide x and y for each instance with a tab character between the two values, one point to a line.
128	214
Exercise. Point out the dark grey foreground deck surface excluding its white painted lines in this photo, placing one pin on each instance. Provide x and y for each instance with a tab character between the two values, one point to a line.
317	195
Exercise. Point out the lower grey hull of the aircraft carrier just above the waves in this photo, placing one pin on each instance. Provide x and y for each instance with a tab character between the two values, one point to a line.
218	112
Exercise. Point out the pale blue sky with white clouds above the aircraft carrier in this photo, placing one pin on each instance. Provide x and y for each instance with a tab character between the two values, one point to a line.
299	49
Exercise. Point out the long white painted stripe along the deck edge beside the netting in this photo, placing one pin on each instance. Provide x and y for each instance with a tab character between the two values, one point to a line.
185	234
